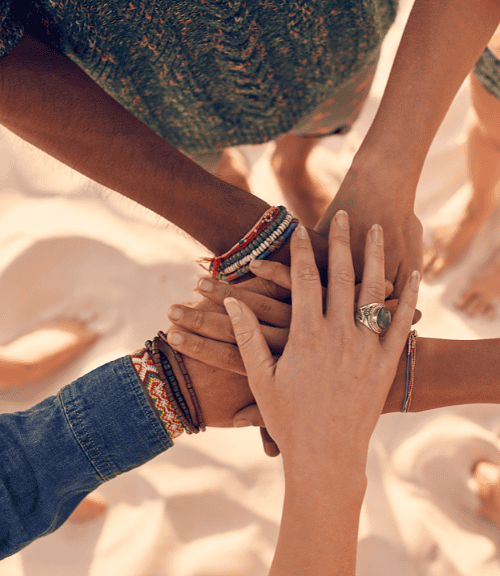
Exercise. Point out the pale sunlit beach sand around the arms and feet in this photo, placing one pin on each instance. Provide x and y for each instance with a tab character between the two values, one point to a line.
211	505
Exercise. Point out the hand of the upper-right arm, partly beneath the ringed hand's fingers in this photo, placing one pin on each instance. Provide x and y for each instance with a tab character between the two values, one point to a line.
368	202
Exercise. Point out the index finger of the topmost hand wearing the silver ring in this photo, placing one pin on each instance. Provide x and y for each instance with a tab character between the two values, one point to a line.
307	299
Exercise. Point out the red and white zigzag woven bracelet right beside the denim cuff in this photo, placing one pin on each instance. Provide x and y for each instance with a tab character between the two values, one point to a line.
153	386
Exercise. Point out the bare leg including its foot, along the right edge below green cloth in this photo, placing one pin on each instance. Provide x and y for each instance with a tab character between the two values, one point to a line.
450	244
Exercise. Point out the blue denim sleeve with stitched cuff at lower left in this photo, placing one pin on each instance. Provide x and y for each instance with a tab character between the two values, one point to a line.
56	453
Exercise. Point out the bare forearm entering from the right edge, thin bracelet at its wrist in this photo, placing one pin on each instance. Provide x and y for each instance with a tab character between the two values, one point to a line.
449	373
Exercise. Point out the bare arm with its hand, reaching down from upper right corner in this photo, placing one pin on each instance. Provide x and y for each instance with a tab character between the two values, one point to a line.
441	43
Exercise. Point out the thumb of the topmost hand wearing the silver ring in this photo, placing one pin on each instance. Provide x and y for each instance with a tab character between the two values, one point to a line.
257	357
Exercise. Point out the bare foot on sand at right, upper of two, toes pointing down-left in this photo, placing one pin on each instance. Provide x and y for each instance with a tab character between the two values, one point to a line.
450	243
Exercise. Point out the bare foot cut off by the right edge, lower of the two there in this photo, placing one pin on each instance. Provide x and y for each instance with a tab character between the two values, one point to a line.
479	298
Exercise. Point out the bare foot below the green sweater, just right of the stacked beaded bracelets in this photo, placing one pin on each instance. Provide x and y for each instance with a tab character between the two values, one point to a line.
304	194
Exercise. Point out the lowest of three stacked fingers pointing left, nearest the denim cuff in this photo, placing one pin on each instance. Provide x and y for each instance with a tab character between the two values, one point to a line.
217	354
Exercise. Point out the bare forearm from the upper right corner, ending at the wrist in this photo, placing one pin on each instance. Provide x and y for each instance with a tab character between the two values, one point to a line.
441	43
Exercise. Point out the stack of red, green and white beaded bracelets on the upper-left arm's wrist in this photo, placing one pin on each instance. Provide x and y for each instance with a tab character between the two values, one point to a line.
268	232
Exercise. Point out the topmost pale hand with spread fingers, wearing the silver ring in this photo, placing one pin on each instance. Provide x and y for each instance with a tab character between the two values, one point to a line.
340	411
